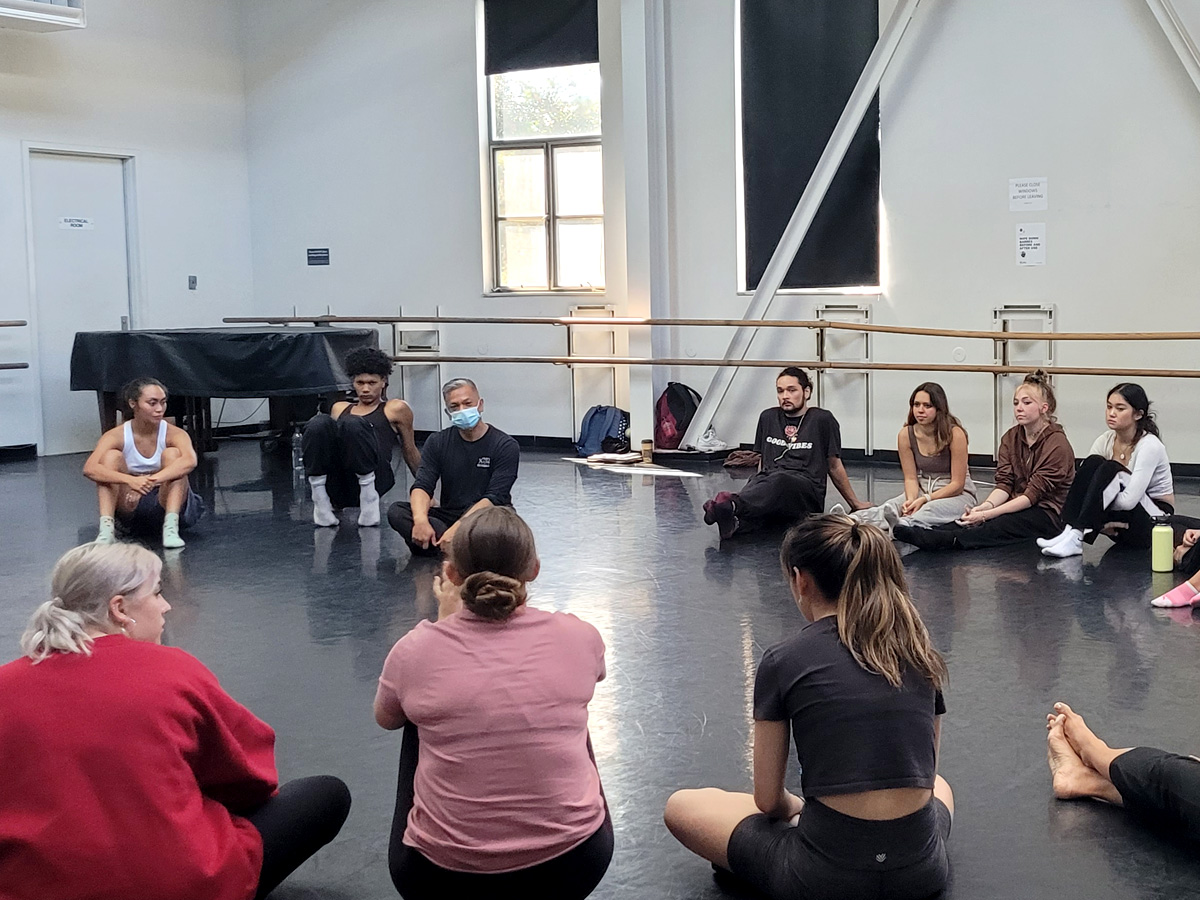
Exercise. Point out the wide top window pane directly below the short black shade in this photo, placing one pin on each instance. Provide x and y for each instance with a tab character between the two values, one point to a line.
557	103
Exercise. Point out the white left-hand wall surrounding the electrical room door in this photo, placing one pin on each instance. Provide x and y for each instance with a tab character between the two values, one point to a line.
165	81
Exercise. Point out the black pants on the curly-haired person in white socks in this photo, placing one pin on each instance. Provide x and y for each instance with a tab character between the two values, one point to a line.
343	449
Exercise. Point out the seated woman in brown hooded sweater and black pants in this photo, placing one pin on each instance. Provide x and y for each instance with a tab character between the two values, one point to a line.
1035	469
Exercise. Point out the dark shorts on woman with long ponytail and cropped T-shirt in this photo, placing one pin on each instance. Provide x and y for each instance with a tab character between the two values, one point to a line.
830	856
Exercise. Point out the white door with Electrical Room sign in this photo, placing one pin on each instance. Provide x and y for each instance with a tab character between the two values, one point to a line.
81	281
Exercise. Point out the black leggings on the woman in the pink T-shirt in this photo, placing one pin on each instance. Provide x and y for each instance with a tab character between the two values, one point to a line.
572	877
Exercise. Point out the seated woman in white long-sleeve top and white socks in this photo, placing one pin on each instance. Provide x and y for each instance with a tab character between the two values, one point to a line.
1123	485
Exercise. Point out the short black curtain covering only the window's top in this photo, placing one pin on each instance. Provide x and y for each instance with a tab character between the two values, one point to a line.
538	34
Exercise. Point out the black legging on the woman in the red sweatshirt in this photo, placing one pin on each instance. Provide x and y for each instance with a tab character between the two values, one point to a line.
302	819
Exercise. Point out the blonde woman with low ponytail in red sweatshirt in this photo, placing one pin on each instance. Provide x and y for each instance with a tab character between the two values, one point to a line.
110	741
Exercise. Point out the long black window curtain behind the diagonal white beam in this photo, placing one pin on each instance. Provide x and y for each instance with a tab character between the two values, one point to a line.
801	61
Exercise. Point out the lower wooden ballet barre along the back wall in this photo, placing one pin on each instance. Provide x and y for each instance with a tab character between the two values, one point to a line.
809	364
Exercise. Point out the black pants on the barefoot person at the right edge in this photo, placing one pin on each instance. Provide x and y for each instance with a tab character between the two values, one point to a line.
1160	788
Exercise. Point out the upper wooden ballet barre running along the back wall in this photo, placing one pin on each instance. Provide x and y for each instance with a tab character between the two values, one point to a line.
1053	337
